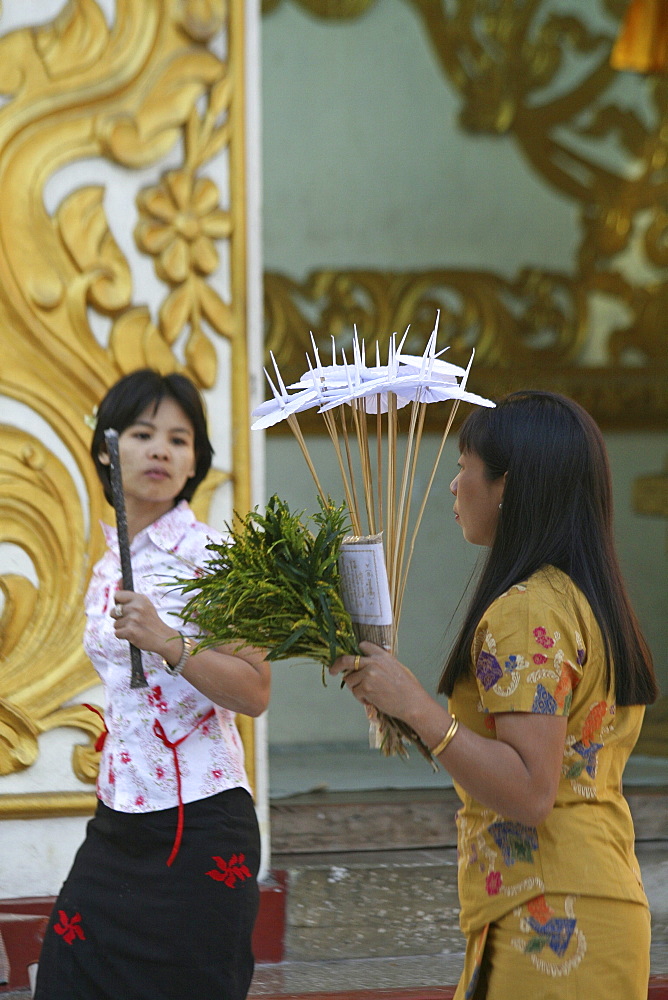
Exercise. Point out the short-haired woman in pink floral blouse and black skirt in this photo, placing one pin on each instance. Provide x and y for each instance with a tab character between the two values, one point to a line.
162	897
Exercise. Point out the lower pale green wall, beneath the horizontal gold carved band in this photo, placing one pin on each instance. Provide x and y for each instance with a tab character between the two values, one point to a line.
302	711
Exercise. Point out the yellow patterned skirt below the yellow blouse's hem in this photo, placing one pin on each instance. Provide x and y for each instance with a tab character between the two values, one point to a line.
560	947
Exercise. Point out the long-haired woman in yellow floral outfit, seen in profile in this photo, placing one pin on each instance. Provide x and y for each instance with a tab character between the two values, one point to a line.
547	684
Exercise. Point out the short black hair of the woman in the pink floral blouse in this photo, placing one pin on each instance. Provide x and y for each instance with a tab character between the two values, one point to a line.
133	394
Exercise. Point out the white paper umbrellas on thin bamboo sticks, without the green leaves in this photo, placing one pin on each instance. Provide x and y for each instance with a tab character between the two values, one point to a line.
380	390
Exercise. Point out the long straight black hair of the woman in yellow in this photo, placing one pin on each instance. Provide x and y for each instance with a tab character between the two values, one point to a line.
557	511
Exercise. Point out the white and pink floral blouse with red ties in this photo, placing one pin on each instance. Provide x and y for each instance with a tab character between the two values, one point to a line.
155	733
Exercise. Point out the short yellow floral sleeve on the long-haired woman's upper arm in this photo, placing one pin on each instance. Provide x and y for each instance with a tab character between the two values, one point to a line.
528	652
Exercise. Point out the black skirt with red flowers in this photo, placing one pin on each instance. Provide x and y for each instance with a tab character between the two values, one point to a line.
126	925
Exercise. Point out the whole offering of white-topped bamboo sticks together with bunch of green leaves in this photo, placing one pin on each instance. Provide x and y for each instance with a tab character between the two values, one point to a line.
346	582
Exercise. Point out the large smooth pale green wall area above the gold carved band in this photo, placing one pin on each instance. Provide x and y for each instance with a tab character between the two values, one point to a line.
364	164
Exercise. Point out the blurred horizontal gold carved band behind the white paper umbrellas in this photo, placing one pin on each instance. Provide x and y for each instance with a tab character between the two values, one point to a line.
527	333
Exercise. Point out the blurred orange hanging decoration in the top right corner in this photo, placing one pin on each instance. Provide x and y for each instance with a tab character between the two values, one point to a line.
642	45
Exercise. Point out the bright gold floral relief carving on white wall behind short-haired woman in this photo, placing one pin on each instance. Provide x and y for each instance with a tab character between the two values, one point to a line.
130	93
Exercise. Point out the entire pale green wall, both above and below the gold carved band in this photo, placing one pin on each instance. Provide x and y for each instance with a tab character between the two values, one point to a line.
365	165
